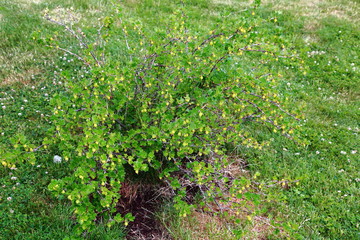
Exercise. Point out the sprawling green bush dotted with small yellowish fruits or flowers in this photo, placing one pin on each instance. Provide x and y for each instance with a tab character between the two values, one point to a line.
176	105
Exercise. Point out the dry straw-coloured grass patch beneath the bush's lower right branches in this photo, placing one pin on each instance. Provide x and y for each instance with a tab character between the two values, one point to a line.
209	225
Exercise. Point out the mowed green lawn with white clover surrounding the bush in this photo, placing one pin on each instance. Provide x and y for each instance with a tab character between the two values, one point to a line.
324	205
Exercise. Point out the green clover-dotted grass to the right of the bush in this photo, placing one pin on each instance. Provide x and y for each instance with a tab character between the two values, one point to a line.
325	204
